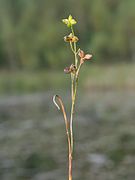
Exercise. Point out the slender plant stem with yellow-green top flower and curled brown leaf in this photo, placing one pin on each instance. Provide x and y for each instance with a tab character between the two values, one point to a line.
73	70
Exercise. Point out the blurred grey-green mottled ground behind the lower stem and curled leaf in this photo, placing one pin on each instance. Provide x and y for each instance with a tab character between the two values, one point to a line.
33	140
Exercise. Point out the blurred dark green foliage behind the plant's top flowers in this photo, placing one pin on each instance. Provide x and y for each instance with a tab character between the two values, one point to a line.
30	35
